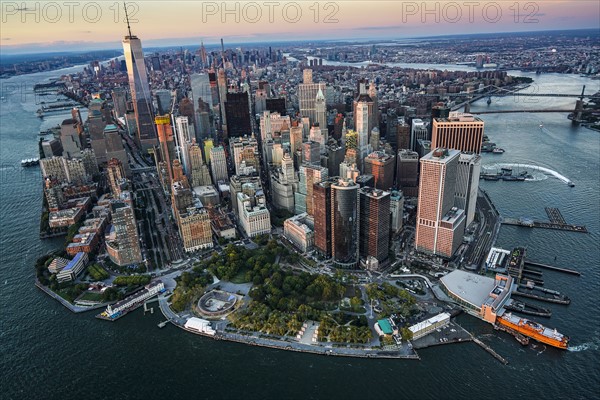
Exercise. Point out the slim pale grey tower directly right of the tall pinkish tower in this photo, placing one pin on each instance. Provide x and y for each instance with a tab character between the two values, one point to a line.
467	184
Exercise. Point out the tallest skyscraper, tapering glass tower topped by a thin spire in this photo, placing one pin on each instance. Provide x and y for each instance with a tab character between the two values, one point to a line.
140	91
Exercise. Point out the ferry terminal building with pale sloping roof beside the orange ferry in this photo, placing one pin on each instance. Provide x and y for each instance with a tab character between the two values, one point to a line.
479	295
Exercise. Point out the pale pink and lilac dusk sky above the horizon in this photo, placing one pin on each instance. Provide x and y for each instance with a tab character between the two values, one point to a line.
30	27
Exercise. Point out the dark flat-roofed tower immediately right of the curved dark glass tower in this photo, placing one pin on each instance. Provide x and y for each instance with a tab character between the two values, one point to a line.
374	224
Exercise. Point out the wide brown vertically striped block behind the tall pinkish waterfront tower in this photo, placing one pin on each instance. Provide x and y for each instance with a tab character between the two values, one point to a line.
459	131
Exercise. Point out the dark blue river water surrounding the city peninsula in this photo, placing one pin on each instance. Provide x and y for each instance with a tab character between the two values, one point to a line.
46	352
